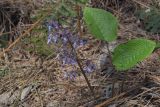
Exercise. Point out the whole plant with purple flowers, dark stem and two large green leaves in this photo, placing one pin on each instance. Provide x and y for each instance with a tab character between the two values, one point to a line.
103	26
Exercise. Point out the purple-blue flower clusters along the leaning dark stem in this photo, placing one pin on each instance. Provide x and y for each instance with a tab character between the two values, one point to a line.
57	34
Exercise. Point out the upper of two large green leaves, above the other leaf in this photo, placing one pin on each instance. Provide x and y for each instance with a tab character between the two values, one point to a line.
102	24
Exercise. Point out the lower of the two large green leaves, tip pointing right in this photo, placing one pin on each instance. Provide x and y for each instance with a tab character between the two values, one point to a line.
129	54
